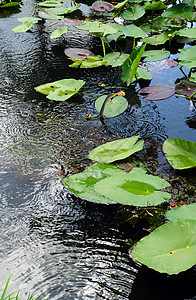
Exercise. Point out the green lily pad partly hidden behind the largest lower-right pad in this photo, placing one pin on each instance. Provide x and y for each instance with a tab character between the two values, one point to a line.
182	213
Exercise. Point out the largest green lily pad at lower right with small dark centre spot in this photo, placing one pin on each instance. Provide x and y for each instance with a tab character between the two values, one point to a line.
170	249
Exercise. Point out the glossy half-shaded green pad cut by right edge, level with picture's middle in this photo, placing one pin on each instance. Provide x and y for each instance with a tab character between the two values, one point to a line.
180	153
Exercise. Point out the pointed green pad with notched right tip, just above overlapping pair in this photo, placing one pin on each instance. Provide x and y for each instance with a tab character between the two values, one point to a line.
116	150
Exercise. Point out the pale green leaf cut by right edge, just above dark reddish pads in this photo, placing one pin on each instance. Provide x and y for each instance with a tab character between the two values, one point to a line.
187	57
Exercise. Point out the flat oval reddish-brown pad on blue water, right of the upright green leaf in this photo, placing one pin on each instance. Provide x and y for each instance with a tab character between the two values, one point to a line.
157	92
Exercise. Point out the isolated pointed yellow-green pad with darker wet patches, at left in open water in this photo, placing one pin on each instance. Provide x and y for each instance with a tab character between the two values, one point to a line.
60	90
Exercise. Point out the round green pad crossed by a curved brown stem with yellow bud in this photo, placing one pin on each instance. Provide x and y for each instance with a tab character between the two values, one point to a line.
113	107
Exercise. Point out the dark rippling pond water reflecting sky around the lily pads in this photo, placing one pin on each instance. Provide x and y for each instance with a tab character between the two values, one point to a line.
51	242
